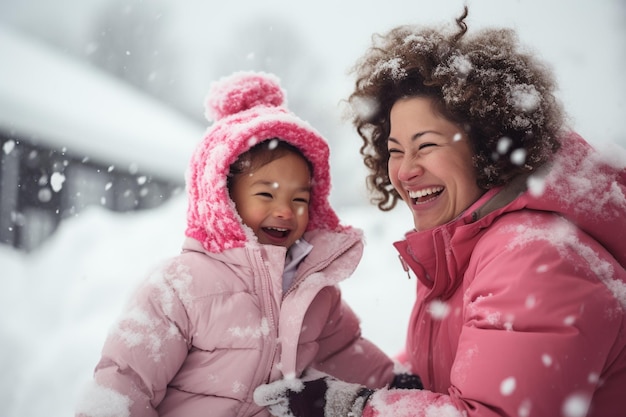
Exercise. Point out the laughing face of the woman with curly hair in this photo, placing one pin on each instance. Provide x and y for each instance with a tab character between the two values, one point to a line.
430	163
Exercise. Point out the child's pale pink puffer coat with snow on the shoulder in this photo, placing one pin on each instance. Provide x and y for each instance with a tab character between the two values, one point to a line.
206	329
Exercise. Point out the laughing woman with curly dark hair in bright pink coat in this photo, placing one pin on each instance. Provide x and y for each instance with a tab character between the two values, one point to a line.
517	247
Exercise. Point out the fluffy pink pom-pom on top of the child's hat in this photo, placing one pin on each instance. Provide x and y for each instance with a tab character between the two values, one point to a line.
242	91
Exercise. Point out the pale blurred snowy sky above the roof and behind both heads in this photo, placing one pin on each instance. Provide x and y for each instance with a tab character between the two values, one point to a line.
173	50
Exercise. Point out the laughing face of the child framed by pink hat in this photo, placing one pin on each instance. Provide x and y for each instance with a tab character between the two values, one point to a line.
273	200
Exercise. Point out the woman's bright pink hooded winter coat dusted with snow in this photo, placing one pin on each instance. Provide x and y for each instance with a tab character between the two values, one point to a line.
521	301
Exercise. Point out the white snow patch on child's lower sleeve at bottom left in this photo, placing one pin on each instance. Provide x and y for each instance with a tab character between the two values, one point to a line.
100	401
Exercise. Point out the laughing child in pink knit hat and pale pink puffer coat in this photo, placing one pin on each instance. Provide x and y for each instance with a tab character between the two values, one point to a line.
253	296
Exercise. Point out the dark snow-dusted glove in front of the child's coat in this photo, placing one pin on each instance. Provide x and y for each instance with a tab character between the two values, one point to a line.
317	395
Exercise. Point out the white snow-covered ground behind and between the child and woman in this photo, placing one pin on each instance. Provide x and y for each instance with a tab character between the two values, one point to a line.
57	303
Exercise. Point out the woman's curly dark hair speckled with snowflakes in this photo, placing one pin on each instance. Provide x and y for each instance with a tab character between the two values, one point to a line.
500	94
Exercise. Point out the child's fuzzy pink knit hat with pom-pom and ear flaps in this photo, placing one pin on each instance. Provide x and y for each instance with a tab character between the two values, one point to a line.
248	108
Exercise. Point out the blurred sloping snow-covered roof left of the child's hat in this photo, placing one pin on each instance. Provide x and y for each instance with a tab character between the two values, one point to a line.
63	102
